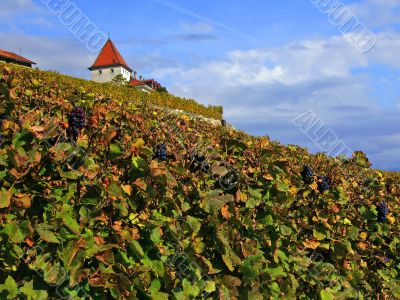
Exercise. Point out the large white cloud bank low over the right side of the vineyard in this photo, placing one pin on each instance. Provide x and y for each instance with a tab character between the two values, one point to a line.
263	90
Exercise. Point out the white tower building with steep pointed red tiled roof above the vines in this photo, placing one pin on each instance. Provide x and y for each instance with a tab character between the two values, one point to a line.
110	63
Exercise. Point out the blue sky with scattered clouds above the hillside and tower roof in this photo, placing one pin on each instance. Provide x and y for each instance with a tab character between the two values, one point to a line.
267	62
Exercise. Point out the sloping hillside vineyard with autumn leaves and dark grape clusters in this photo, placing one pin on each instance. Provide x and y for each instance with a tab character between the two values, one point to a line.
102	197
